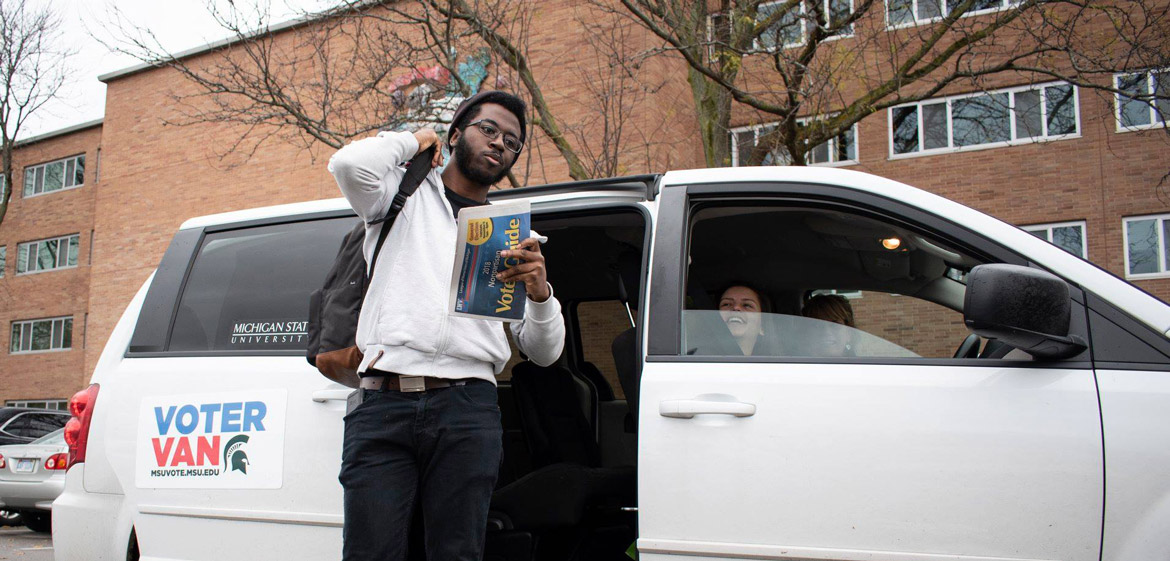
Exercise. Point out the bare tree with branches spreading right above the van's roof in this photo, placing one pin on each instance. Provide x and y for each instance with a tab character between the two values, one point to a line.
815	69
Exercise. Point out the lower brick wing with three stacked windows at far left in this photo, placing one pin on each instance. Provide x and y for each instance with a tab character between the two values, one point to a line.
46	244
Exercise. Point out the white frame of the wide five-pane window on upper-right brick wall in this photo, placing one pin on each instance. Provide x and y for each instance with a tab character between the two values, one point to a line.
1015	141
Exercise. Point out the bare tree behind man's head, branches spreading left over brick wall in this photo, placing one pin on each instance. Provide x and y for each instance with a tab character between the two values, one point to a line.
366	66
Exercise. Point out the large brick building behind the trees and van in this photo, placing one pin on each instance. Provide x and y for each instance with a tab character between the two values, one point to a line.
1082	174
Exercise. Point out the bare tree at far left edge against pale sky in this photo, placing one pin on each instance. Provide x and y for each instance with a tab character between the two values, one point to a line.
32	73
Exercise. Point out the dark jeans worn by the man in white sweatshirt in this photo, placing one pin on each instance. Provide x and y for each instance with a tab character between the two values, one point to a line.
439	450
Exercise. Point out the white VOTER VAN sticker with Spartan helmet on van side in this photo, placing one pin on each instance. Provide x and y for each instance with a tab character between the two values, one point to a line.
214	441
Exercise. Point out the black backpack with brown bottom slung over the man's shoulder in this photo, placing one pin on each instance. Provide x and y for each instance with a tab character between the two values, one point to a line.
334	309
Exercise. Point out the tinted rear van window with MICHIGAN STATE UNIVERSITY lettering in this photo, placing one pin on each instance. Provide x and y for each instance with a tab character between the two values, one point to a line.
249	290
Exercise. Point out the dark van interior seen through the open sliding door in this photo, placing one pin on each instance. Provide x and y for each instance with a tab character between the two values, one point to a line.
567	487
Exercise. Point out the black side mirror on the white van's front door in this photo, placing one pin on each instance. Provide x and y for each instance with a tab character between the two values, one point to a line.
1027	309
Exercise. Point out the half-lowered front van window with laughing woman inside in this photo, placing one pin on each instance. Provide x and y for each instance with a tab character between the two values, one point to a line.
788	282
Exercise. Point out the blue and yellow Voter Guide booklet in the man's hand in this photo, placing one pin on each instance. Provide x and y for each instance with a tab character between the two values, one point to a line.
484	232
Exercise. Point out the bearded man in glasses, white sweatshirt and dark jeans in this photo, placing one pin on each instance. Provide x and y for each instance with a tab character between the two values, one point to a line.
429	430
